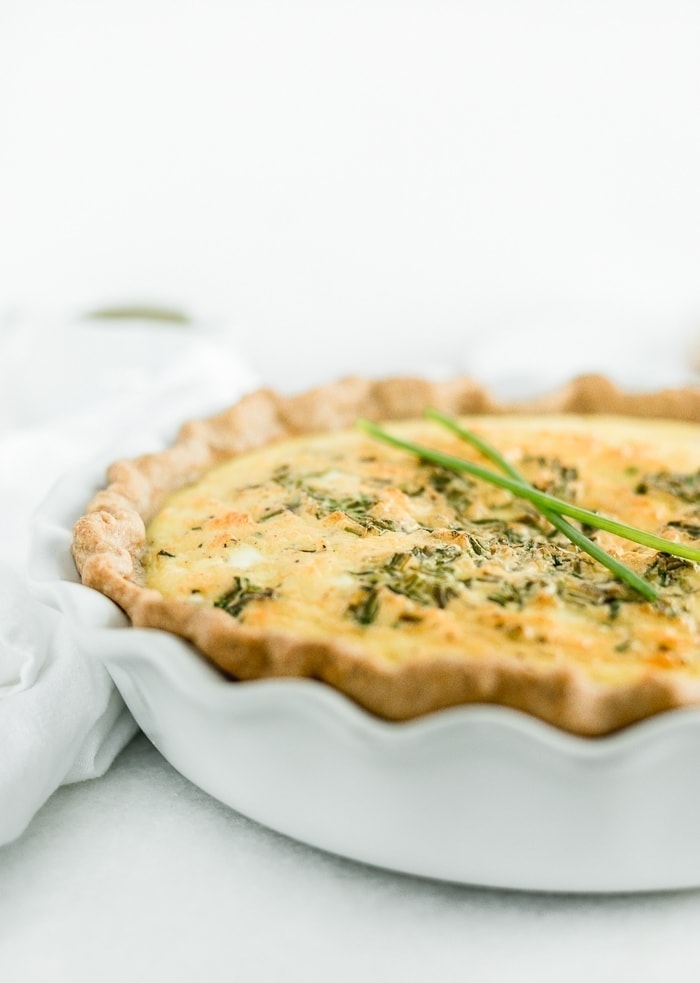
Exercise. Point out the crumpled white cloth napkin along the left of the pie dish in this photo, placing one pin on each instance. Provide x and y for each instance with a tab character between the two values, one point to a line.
61	718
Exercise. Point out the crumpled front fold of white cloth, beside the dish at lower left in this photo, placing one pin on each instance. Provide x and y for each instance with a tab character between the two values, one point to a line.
61	718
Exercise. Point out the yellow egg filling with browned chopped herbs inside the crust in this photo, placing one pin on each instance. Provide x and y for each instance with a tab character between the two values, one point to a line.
335	536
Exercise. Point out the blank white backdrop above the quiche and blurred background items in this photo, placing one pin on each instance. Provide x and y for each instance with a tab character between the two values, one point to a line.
358	184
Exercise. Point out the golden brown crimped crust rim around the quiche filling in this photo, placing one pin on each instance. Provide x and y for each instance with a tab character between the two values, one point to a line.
109	538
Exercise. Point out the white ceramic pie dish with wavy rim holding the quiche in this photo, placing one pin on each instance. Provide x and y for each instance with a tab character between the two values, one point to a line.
479	795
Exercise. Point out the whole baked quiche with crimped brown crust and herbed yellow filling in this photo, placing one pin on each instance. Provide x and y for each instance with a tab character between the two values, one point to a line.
283	540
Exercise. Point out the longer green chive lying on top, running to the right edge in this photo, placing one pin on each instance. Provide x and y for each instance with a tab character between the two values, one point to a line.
523	490
